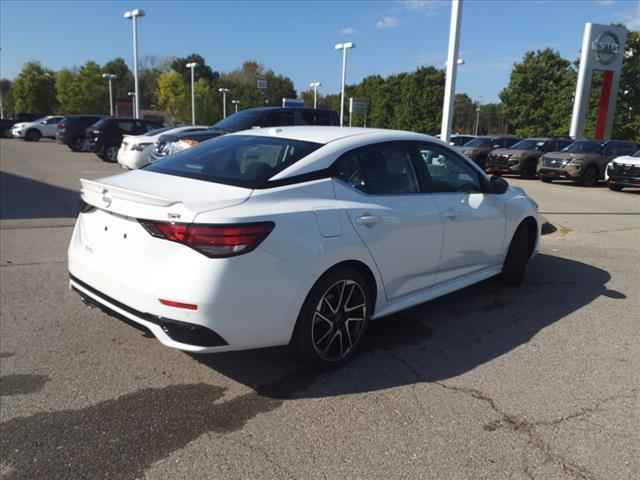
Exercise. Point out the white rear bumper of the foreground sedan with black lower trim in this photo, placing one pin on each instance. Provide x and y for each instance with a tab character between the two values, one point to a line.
248	301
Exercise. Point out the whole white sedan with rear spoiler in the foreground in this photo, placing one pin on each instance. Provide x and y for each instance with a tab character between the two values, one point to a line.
295	235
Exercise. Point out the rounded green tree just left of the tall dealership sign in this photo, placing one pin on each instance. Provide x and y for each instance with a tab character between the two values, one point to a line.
537	100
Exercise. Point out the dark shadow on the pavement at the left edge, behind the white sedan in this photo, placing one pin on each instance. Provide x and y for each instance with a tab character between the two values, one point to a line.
23	198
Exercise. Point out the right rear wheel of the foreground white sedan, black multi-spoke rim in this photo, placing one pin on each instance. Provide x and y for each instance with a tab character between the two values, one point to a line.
325	336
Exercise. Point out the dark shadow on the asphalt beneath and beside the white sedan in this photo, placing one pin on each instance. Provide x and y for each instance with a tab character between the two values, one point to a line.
434	341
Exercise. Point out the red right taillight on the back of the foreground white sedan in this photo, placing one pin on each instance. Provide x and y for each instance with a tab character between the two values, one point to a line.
214	241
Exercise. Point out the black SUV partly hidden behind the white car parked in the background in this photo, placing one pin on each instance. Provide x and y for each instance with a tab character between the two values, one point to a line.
104	137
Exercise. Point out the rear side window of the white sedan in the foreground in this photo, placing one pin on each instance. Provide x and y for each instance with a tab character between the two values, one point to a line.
380	169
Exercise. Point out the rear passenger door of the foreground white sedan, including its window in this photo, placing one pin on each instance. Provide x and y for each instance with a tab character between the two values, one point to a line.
397	221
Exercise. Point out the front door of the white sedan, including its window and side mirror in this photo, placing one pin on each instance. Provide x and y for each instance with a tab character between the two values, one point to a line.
474	221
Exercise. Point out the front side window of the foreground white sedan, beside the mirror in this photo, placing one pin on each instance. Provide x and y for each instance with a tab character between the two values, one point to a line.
448	172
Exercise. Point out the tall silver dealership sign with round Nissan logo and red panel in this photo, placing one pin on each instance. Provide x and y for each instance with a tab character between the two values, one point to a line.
602	50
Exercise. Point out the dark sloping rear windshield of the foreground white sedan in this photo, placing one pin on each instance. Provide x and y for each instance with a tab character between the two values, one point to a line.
240	160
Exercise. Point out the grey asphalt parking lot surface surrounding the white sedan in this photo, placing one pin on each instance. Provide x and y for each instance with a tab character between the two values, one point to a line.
537	382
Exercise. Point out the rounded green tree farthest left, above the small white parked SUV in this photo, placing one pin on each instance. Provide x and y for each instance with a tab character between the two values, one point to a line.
34	89
